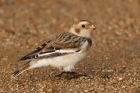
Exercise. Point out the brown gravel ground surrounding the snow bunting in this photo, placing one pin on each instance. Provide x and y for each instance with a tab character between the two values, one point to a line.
112	66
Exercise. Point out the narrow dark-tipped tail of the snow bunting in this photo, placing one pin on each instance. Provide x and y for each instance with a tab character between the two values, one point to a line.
18	72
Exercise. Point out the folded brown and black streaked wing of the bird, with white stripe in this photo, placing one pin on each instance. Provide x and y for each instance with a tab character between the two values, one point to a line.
62	44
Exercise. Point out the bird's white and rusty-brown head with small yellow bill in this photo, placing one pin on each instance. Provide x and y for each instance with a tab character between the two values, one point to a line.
82	28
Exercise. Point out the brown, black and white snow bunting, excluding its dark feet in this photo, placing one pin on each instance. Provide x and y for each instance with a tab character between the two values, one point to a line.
62	51
